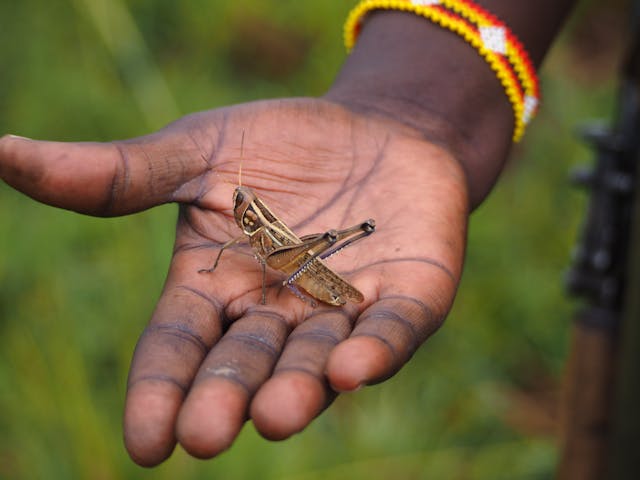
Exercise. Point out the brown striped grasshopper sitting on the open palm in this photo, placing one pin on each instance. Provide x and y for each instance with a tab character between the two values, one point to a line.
275	245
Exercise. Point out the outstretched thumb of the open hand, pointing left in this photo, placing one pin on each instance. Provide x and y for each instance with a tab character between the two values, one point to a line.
102	179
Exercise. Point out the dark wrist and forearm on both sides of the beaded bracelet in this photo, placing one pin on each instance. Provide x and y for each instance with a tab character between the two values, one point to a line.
427	77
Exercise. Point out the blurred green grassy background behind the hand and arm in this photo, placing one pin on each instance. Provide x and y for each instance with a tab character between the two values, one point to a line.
479	400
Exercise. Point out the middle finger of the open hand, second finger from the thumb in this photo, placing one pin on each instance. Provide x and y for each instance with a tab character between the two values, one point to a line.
216	407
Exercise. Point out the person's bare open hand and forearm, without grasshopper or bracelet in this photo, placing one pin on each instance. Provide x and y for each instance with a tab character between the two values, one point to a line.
378	145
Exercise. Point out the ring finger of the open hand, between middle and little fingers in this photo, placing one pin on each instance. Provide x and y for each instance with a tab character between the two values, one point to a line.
298	390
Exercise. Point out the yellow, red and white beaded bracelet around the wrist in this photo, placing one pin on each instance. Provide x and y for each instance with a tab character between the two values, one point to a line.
486	33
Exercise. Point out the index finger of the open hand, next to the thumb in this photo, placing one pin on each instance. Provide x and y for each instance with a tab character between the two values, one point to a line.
184	326
